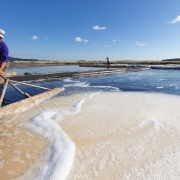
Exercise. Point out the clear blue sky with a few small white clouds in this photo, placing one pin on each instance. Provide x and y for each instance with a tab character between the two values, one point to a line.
69	30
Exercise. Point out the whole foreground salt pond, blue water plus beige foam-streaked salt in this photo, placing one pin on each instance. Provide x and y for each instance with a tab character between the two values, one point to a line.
123	126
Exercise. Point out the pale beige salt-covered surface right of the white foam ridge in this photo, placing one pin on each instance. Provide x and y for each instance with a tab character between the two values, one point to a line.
126	136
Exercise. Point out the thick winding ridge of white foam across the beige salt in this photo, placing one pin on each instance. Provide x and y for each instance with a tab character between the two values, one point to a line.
57	158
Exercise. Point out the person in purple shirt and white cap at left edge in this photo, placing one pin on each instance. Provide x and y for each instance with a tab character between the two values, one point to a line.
4	52
